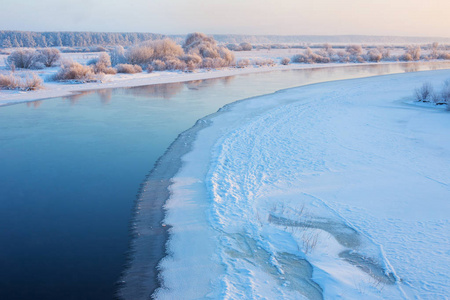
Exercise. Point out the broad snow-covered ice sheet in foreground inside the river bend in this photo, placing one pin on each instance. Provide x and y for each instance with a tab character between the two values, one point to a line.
259	192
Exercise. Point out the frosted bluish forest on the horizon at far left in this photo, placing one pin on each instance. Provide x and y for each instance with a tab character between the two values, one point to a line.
31	39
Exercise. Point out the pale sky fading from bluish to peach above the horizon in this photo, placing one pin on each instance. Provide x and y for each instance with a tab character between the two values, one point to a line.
285	17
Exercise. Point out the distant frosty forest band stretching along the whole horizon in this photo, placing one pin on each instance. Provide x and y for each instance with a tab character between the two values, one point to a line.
31	39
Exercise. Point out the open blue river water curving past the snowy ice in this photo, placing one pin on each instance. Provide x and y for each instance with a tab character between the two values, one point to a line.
70	169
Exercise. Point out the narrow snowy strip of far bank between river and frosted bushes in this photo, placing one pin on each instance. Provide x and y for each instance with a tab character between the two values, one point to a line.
55	89
